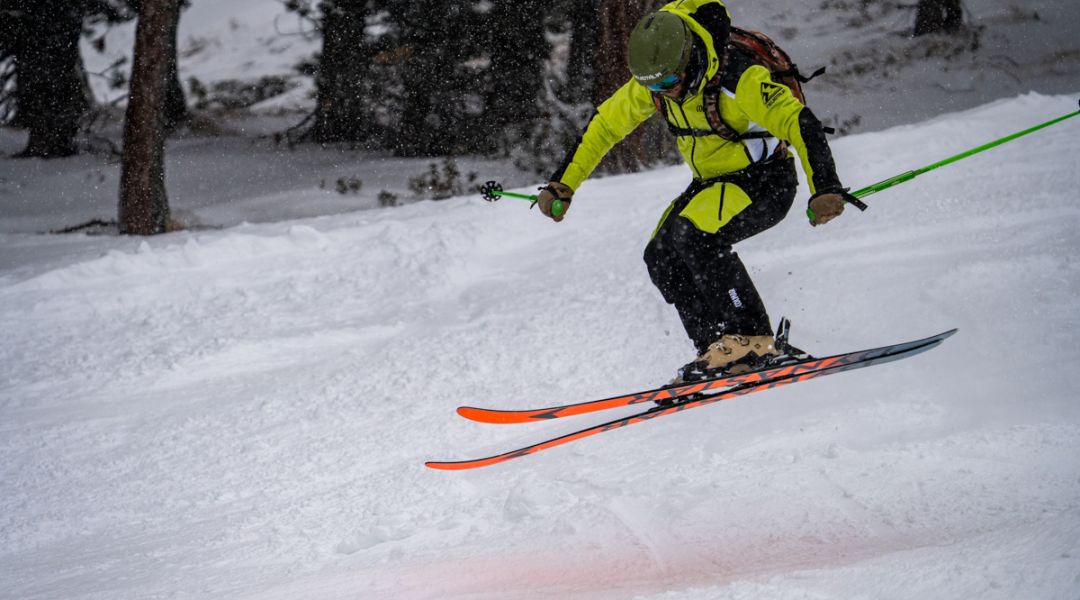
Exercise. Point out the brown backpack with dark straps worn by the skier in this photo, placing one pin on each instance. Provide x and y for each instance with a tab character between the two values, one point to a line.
766	53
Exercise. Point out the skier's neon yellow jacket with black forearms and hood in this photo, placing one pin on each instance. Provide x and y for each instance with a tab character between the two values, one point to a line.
750	102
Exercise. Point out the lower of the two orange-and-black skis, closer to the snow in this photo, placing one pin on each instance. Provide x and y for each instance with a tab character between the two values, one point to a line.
843	363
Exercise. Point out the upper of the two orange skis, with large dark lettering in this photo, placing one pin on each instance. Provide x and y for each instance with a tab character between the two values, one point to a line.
672	392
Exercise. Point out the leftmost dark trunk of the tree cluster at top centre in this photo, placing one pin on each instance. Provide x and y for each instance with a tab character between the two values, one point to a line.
342	111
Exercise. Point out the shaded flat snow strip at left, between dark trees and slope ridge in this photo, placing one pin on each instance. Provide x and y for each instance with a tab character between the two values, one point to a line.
212	182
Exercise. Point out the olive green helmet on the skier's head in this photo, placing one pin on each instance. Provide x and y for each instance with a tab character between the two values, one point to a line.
660	47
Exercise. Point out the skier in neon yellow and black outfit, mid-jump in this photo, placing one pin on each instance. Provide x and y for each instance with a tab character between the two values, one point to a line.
745	179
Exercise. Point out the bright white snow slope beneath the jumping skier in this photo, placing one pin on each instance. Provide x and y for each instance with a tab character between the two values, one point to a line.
245	414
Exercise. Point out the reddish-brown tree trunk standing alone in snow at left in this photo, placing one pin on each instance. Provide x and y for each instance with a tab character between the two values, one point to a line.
144	206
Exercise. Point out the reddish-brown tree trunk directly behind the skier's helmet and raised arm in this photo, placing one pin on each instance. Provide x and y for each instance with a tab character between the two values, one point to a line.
617	19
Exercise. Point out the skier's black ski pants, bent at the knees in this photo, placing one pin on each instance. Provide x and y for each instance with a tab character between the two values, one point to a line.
701	275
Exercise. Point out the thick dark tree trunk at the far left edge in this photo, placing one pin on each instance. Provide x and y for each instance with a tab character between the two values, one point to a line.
52	96
